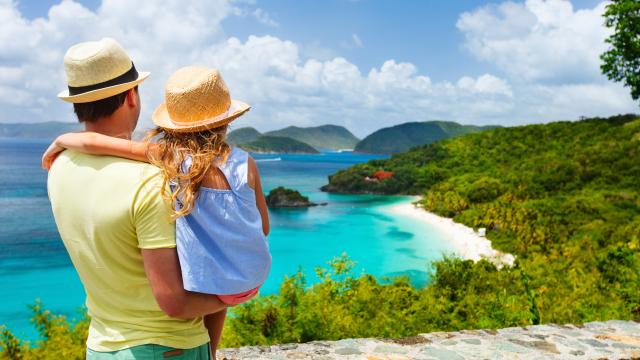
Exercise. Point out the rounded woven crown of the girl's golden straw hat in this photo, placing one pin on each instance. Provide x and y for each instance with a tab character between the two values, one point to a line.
195	93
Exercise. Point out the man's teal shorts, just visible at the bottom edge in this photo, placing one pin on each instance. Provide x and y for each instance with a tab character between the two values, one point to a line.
153	352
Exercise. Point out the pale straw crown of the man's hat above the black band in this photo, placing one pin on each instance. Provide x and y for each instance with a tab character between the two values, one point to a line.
95	62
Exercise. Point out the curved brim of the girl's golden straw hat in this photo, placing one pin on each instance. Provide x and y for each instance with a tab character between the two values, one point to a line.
162	118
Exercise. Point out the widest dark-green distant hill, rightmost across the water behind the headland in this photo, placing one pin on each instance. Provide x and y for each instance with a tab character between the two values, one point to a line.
402	137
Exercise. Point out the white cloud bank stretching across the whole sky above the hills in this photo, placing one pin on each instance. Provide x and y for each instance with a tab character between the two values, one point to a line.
291	84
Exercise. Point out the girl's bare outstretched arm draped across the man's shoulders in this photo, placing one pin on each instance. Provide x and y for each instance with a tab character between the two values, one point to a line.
97	144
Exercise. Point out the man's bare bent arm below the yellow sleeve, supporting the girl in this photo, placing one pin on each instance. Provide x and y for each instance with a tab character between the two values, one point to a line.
163	270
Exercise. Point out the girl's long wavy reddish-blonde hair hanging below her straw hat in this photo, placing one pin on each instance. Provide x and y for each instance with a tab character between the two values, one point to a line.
205	148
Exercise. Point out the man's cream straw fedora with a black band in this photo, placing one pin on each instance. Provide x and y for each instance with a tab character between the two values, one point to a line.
97	70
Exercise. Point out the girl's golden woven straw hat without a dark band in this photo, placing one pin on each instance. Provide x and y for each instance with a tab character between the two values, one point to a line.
196	99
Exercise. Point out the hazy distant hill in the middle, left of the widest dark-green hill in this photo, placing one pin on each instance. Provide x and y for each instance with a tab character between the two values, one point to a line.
331	137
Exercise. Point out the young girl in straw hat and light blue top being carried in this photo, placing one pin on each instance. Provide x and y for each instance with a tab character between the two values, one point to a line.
220	209
